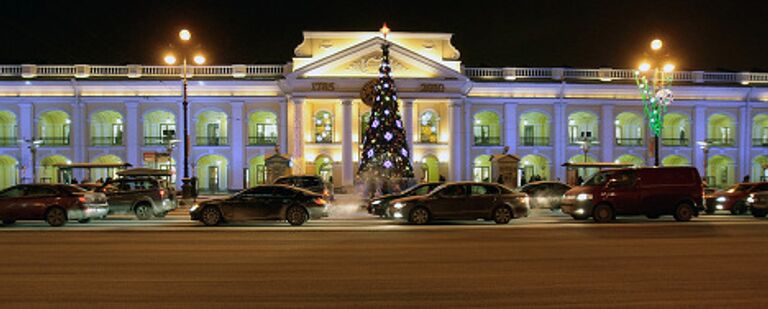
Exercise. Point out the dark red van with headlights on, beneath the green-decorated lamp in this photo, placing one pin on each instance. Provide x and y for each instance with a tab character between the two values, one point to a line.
649	191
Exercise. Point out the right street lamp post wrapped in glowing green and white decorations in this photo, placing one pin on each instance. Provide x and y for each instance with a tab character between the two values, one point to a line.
654	82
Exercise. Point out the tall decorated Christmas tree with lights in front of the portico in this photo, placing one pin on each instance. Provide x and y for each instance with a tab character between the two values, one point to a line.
385	150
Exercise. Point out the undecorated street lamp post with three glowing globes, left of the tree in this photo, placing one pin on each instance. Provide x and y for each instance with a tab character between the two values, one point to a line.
187	187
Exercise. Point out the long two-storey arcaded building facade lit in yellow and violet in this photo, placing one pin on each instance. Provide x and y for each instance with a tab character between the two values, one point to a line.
455	116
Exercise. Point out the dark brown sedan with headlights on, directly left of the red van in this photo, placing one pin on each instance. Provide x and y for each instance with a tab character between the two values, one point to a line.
462	200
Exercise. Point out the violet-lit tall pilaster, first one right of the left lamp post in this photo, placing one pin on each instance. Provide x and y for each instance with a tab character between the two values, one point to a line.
237	146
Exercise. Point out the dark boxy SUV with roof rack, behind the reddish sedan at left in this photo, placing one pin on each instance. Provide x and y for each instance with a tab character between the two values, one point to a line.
144	197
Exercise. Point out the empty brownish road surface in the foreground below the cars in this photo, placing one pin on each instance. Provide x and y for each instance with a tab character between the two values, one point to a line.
545	261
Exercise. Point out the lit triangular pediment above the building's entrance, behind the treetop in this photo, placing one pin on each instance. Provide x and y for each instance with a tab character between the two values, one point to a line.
362	61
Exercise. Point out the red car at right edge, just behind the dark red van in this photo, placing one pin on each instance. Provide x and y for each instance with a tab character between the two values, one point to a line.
734	198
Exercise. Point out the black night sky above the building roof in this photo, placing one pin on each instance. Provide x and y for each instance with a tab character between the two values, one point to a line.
706	35
